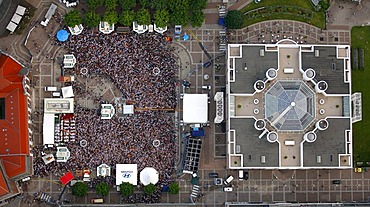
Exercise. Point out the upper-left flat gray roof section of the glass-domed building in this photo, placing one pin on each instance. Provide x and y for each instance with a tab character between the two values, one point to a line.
257	66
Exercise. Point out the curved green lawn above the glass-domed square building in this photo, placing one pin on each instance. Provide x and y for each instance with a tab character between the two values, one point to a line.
318	18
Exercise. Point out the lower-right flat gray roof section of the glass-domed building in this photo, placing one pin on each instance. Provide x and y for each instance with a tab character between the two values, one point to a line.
328	145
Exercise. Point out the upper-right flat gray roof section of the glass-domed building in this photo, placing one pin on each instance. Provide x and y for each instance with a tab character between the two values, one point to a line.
323	65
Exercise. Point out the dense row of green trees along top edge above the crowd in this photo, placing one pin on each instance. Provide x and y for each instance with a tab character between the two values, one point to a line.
163	12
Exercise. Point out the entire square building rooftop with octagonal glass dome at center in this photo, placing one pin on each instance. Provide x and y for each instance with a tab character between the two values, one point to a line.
289	106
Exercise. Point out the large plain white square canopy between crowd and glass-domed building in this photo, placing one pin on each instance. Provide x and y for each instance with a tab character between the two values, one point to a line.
195	108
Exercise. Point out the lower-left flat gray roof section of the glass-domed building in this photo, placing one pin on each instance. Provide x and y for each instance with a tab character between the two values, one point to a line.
252	147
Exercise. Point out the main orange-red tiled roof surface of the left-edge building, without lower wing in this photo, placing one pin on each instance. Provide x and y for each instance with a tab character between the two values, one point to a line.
14	146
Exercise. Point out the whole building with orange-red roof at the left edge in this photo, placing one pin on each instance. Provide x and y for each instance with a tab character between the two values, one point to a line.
15	160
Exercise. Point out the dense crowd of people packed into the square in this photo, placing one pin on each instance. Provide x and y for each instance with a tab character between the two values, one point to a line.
143	68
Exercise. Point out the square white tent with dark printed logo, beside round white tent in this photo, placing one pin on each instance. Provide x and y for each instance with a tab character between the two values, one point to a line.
126	173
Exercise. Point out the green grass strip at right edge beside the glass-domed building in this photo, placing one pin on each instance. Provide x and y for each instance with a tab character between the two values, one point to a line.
360	38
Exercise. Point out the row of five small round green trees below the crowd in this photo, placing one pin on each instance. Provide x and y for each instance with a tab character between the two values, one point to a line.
127	189
